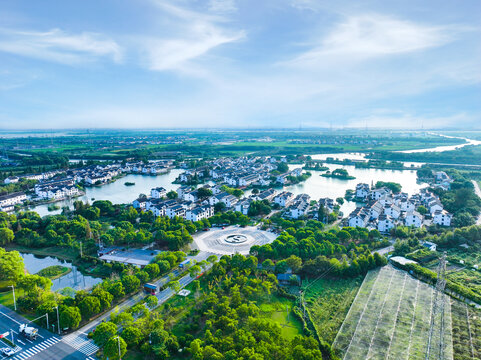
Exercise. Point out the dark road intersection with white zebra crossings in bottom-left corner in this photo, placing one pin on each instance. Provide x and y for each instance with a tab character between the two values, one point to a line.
47	346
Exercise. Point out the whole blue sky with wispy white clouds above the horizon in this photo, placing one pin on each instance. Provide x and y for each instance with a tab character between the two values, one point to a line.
239	63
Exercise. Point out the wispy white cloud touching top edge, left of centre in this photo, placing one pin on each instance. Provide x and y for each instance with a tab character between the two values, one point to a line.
194	34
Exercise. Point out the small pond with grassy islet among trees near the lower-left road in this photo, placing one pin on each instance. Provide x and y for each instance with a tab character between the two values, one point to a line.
74	279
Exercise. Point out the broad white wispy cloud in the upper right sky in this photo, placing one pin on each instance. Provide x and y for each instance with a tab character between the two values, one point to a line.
361	37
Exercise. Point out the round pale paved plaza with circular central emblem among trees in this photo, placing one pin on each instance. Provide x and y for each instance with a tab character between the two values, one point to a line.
232	239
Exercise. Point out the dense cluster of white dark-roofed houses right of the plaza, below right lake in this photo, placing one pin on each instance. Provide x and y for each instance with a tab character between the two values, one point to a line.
385	210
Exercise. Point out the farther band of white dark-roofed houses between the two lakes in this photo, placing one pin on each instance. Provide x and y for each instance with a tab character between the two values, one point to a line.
240	172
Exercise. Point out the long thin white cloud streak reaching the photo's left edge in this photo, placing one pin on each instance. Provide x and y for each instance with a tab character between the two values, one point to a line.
59	46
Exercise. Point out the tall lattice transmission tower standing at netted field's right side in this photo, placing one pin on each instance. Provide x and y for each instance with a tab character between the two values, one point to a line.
437	313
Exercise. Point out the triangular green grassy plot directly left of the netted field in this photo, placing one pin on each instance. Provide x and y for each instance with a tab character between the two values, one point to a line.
328	301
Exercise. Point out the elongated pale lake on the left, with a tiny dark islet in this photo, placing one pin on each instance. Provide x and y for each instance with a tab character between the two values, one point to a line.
117	192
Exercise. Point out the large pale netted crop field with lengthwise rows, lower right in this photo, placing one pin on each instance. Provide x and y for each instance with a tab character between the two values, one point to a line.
390	319
